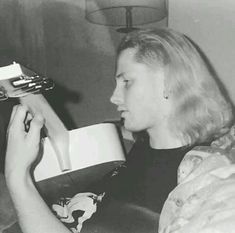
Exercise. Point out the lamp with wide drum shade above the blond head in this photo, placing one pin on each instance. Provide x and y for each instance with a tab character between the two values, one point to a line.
127	13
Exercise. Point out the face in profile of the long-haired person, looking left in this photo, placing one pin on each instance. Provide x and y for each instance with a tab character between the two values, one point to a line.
139	93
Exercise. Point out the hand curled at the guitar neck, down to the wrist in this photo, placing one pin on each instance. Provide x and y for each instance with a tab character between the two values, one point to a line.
23	141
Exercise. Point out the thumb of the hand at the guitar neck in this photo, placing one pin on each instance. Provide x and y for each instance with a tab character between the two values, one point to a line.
35	128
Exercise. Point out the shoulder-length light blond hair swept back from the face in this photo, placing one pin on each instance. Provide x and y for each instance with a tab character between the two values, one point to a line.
201	112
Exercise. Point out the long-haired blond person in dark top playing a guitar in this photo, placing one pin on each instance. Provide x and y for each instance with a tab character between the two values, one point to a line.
163	87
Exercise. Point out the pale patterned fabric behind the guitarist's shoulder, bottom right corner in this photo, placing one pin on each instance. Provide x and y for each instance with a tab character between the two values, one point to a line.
204	199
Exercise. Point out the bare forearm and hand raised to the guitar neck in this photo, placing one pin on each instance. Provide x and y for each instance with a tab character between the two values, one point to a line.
22	149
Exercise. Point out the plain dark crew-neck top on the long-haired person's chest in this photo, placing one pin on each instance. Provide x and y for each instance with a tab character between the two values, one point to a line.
148	176
